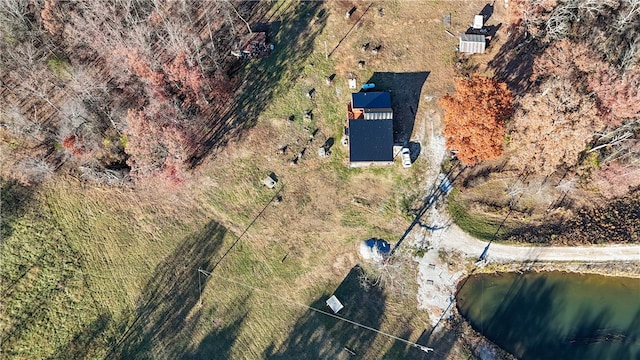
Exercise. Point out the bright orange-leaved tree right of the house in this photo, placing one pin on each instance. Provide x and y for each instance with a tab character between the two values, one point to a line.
474	120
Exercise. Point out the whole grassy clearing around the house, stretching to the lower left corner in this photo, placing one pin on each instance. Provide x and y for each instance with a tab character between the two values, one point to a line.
96	272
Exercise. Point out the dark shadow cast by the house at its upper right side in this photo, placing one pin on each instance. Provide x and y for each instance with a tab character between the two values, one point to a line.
405	91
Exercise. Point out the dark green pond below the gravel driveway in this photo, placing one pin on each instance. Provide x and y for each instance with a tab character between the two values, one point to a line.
555	315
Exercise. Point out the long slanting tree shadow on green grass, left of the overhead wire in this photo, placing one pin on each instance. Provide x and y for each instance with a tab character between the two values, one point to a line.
161	324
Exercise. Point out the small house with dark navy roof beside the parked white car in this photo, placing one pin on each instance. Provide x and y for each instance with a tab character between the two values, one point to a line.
370	122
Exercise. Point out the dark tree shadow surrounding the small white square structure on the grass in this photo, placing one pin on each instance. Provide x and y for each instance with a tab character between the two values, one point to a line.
318	336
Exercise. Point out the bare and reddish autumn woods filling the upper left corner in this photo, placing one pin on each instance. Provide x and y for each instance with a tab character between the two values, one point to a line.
115	90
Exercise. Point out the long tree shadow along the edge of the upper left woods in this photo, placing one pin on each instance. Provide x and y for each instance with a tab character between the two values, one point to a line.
261	80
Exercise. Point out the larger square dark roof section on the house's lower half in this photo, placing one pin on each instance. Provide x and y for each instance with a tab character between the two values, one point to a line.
371	140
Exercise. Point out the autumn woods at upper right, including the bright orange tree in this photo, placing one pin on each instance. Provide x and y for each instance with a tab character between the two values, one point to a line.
573	67
